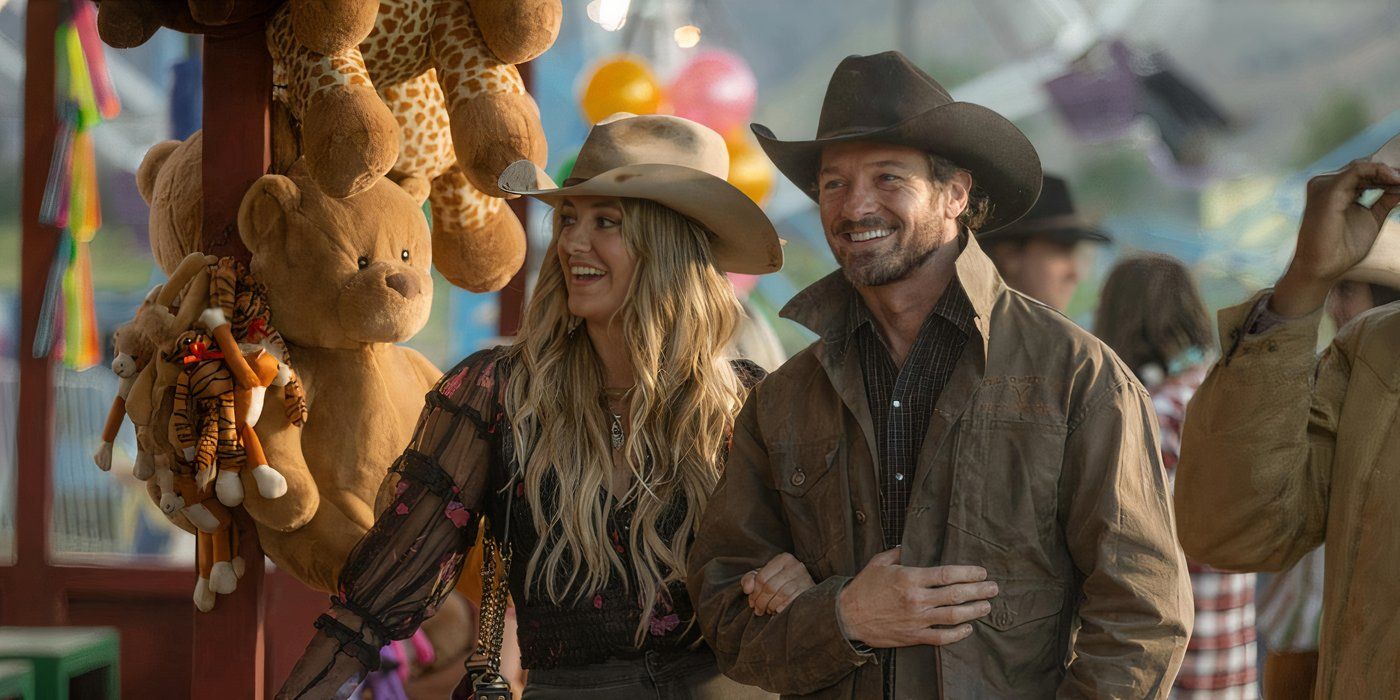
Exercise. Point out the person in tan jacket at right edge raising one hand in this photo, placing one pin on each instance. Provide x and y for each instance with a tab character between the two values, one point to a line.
1283	451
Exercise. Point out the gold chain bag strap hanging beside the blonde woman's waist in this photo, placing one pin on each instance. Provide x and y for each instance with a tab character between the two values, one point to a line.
484	678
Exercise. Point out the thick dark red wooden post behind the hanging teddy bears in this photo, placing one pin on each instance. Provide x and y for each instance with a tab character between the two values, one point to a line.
229	659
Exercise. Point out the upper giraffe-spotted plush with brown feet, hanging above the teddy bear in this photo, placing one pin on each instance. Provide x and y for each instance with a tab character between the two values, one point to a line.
492	118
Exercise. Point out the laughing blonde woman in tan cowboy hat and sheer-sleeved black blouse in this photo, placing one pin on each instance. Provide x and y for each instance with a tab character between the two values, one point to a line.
591	444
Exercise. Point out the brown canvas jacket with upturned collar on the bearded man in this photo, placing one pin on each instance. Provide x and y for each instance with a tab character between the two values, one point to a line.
1041	464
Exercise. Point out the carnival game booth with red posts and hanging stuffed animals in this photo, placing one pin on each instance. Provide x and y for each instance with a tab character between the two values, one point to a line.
262	377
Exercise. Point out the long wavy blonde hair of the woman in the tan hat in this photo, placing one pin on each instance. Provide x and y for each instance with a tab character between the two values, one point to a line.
678	320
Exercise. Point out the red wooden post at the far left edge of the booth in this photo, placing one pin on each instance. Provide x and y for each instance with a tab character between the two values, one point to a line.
24	598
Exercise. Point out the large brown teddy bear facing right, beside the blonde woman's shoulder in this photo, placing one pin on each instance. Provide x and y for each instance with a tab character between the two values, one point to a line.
346	281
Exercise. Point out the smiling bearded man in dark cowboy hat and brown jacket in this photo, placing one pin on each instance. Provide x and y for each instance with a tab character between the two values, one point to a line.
971	479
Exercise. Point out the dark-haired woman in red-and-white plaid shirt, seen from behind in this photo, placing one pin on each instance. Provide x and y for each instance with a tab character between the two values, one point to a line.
1153	317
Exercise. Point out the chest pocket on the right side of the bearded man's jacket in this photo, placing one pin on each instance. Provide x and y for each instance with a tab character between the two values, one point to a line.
1004	489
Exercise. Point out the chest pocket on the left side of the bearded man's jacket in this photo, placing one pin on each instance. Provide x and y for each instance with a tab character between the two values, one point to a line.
813	498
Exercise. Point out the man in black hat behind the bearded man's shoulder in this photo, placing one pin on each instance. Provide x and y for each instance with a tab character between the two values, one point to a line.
1041	255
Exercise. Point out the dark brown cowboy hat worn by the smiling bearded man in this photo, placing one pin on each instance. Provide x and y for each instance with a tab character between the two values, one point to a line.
887	99
